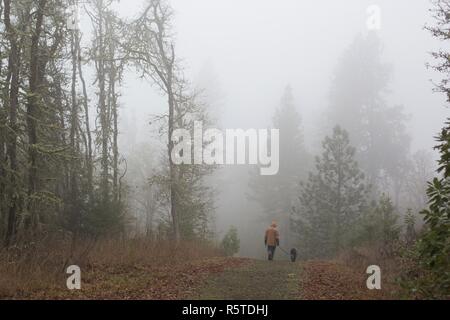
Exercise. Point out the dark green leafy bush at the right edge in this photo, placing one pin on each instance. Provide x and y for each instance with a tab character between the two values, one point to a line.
429	276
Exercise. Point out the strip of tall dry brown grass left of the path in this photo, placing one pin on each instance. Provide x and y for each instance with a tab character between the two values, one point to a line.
40	266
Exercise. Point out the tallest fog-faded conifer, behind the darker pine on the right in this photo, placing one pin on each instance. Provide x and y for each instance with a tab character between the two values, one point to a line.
358	104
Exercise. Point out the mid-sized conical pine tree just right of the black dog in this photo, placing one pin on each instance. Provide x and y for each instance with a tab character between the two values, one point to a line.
331	200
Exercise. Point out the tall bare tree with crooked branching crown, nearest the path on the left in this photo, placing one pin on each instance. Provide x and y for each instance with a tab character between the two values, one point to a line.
152	49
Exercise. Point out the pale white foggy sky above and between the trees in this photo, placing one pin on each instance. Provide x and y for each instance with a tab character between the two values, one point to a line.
256	47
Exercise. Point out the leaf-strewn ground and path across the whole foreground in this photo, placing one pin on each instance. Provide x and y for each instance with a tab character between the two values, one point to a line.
220	278
